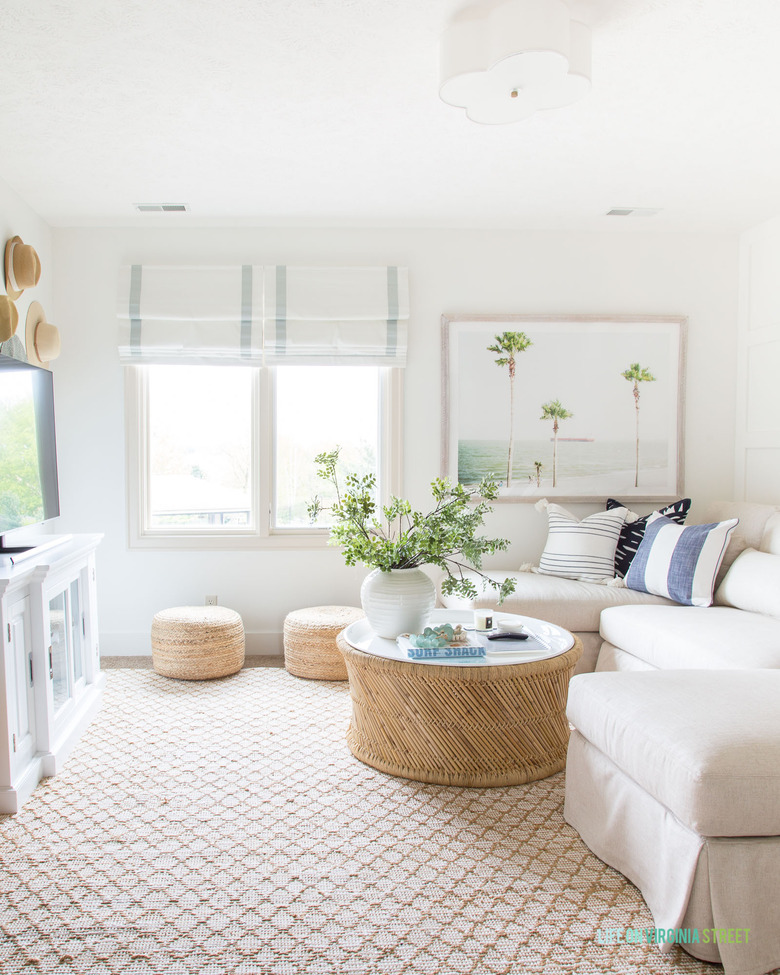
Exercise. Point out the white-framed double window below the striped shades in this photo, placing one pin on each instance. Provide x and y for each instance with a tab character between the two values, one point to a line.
223	456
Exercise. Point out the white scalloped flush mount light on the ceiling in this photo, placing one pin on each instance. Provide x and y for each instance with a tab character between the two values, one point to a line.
505	61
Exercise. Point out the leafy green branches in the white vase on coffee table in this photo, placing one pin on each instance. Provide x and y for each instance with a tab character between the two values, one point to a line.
396	537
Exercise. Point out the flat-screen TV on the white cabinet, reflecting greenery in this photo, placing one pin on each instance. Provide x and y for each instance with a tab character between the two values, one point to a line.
29	491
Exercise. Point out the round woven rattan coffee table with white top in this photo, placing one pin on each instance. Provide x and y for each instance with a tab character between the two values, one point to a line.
498	720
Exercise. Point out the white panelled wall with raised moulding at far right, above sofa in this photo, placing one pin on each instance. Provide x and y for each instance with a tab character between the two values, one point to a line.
757	464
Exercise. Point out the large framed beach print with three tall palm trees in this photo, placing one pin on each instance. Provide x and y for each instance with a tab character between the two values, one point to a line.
576	408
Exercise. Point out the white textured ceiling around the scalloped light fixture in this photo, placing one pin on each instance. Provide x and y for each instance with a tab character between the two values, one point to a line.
325	112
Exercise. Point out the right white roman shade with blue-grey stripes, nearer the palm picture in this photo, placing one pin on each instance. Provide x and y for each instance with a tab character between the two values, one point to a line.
336	316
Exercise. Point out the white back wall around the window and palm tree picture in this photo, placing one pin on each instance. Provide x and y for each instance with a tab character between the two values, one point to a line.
450	271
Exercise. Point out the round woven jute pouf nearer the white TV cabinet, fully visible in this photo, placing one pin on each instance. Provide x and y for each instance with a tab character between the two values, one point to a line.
197	642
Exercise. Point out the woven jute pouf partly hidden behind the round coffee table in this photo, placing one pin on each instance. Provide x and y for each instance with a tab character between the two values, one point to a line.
310	641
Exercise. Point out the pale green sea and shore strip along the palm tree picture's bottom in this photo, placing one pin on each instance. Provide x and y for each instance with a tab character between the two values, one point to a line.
576	458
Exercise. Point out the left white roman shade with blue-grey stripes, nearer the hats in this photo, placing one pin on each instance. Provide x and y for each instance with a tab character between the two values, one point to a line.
190	314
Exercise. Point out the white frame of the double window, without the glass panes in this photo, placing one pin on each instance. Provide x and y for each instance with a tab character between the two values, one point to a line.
262	535
